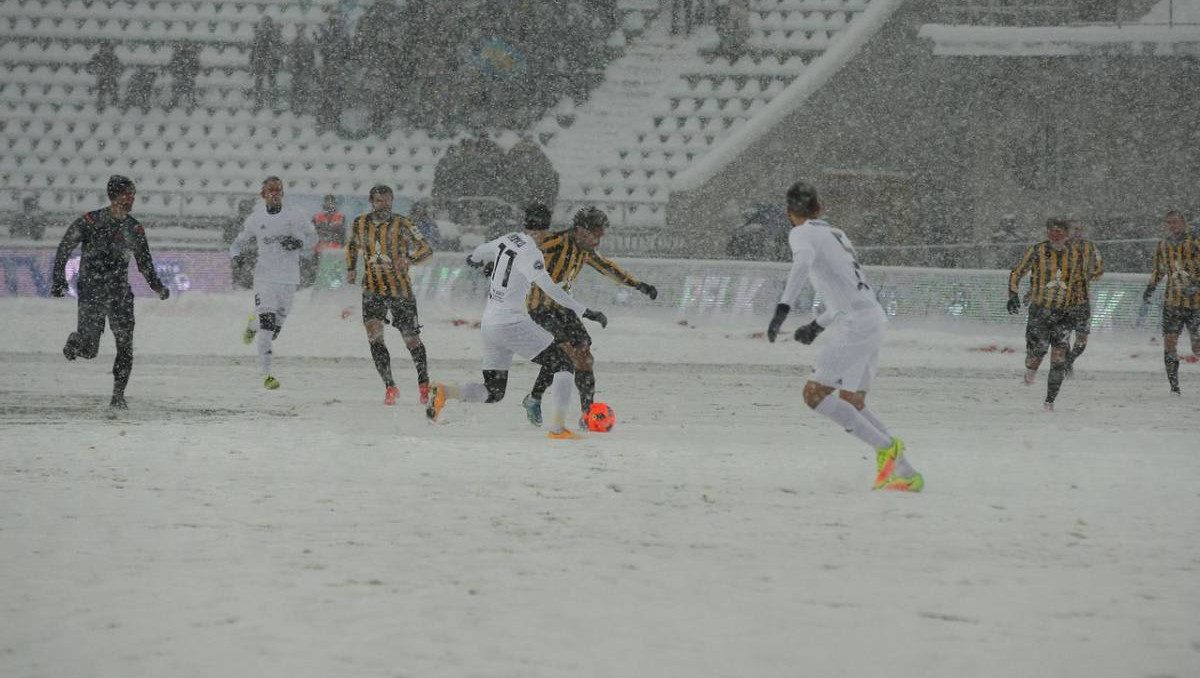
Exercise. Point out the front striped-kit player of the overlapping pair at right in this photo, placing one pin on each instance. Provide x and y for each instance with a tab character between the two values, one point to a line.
1055	267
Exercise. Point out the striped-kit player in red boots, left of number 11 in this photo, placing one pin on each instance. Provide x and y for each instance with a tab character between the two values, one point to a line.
388	244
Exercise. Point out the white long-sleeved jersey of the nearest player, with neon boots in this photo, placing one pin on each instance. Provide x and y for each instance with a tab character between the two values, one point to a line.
825	256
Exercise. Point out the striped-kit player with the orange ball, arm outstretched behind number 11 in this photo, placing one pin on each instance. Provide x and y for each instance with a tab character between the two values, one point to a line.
567	254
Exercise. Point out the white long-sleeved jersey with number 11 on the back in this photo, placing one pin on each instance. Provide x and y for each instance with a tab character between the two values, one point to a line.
518	266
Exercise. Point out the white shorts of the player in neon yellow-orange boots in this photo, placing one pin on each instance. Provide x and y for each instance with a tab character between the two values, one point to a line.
851	359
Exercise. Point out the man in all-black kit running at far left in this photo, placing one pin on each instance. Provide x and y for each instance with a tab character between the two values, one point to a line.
107	238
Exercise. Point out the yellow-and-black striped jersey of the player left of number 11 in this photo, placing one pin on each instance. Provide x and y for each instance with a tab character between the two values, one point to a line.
382	245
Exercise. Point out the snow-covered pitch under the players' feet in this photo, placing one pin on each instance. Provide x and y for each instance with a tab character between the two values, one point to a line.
722	530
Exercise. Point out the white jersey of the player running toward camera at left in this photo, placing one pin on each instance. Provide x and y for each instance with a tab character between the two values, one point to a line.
275	263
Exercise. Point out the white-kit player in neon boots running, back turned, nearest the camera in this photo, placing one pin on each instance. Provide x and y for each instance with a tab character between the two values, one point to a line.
845	369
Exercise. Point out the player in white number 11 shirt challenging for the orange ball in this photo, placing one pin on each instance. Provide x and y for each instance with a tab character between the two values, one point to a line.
515	265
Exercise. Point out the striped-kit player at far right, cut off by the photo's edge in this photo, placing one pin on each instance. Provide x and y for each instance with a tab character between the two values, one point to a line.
1178	260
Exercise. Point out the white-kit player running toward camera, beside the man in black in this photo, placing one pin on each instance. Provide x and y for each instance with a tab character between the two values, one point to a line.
283	235
